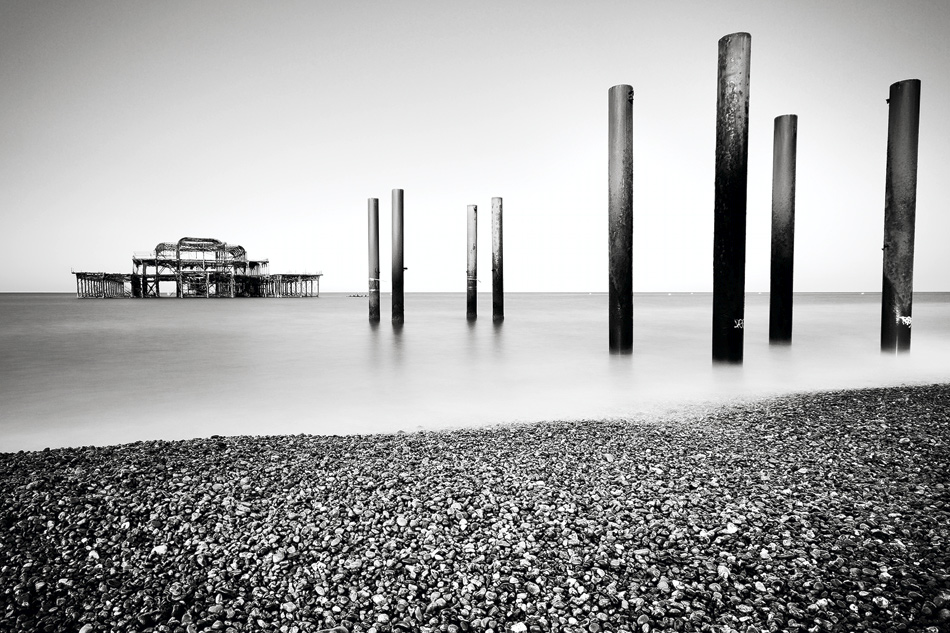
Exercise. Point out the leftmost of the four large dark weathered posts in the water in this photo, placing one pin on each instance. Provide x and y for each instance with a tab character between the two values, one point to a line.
620	218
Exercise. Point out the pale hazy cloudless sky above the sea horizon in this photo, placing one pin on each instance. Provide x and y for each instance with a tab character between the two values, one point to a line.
269	124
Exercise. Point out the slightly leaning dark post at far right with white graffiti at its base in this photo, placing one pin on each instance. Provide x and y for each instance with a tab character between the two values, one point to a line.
900	210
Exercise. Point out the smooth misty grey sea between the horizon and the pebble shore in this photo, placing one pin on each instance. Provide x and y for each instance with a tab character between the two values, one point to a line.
77	372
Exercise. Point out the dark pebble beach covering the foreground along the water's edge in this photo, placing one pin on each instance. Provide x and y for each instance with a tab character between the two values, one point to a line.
811	512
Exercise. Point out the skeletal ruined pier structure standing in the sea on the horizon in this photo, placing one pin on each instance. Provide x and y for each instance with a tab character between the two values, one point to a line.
199	267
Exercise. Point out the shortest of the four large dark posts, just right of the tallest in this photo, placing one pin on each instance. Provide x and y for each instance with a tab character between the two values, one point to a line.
784	149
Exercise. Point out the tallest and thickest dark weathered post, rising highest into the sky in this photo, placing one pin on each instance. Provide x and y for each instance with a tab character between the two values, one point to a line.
732	157
